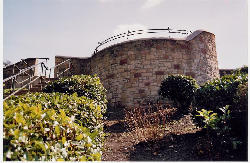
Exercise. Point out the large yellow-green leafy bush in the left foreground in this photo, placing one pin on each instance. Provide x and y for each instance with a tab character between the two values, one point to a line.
53	126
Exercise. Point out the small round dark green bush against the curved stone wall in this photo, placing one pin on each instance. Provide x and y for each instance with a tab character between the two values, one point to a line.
180	89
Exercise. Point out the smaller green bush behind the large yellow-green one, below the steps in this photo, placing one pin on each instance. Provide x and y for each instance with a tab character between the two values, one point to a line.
83	85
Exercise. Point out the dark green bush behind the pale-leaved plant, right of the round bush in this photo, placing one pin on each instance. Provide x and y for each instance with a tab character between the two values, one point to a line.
219	92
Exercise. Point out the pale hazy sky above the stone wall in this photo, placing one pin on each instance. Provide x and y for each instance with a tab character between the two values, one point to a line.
45	28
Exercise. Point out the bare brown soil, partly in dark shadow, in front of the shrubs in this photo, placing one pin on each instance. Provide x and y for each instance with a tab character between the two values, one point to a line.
180	141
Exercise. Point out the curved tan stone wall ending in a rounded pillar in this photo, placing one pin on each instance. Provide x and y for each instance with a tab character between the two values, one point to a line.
132	71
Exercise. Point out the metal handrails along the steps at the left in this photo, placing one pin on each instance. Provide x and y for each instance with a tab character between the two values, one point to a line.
31	78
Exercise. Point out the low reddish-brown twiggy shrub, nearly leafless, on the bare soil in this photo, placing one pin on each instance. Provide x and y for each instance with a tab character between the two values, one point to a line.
149	121
